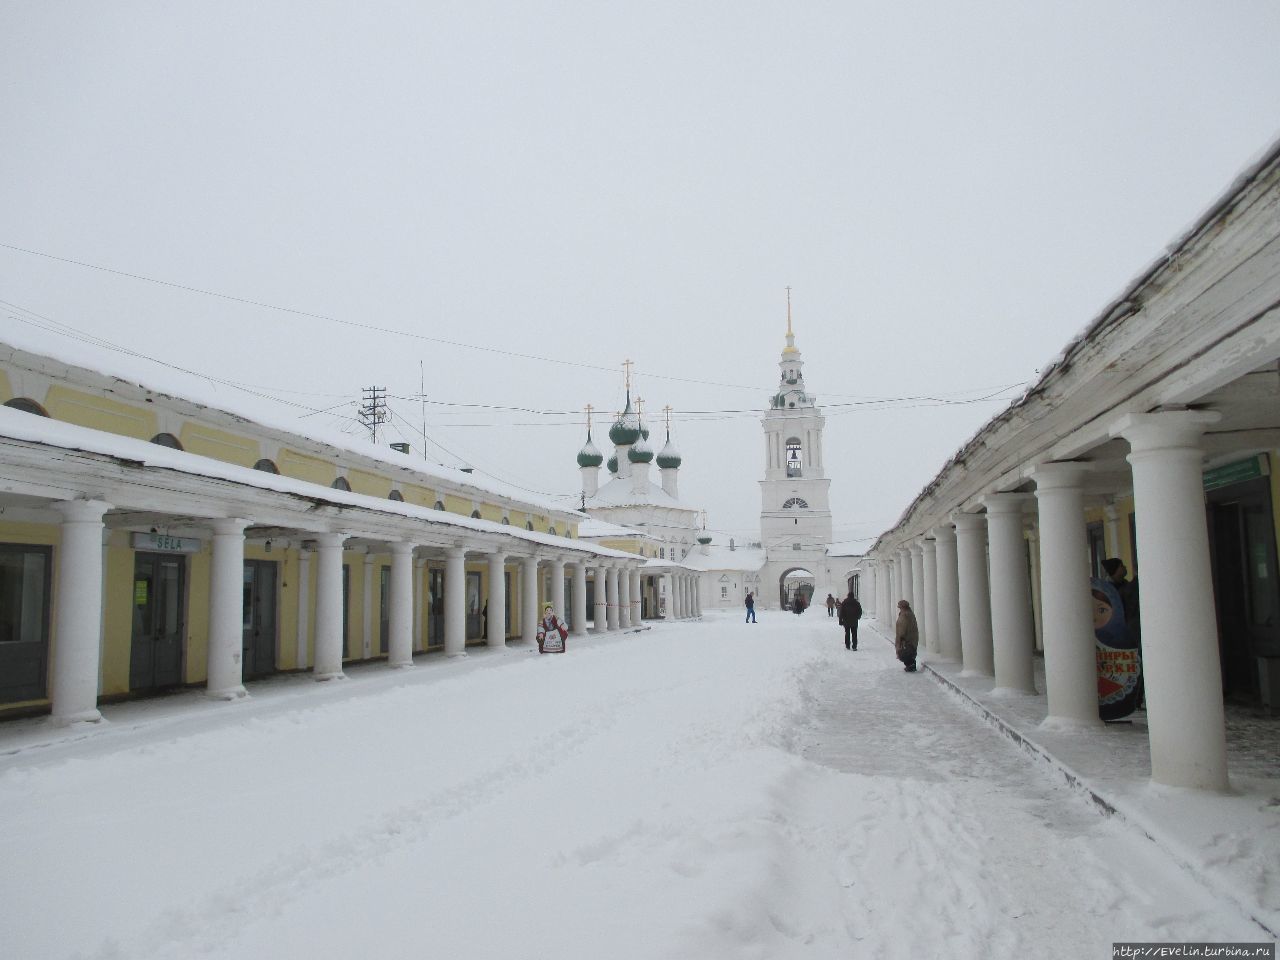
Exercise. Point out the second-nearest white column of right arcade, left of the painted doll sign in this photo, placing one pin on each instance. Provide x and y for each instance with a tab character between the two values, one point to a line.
1071	660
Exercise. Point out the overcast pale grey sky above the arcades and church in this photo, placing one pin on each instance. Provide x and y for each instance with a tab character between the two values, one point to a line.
952	190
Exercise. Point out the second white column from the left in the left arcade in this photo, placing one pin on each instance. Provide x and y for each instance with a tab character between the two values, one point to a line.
226	652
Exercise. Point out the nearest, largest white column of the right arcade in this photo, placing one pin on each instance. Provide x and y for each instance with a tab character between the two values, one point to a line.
1181	661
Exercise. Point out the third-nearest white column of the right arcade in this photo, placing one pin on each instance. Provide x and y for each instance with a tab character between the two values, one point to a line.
1012	629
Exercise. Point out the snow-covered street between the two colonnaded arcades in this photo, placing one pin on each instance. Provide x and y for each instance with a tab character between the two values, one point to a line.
697	790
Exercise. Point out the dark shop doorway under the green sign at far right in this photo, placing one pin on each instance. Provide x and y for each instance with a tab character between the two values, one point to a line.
1247	591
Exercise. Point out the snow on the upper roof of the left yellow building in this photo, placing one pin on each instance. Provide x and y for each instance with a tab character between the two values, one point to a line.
239	403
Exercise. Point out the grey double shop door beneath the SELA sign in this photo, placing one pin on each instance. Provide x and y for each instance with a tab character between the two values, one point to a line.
159	621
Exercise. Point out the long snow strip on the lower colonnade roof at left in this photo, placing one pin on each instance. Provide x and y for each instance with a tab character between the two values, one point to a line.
30	428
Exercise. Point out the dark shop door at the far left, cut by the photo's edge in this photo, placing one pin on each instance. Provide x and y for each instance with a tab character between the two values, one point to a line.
25	601
